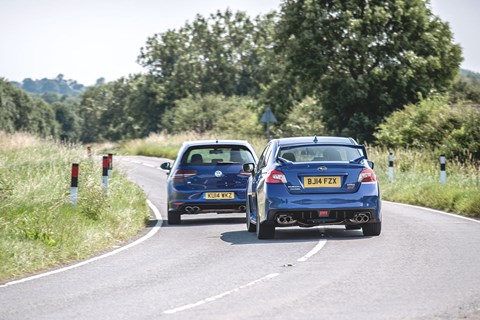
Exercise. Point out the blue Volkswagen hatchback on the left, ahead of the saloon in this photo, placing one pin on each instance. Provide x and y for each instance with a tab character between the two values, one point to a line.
208	176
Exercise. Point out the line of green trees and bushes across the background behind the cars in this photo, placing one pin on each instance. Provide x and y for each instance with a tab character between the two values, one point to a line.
323	67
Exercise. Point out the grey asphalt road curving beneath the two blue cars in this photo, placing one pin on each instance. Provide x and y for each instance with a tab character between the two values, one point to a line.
425	265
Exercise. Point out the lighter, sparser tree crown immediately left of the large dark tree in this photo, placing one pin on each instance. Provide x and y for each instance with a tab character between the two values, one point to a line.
226	53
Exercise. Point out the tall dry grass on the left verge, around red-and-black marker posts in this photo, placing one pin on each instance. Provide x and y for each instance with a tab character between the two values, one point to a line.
39	228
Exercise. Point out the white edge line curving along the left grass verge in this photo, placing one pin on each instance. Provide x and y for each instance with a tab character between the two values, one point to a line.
111	253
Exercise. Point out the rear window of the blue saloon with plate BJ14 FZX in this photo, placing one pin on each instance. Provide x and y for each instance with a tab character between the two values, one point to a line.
313	153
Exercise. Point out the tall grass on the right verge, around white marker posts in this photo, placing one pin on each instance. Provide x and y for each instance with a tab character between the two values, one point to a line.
417	180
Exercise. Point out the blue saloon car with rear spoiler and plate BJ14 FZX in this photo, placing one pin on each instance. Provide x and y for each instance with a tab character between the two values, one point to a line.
313	181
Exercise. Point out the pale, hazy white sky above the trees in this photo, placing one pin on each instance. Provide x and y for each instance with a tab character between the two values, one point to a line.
89	39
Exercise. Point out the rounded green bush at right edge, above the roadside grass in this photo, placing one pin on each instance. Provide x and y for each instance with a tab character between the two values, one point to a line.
433	124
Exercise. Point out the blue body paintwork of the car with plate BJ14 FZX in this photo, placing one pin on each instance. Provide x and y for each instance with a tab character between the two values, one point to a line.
268	200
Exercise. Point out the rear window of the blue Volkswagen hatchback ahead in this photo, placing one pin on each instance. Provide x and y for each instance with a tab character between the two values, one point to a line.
214	155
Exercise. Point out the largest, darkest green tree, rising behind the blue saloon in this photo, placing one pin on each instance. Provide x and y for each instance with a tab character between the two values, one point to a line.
364	59
